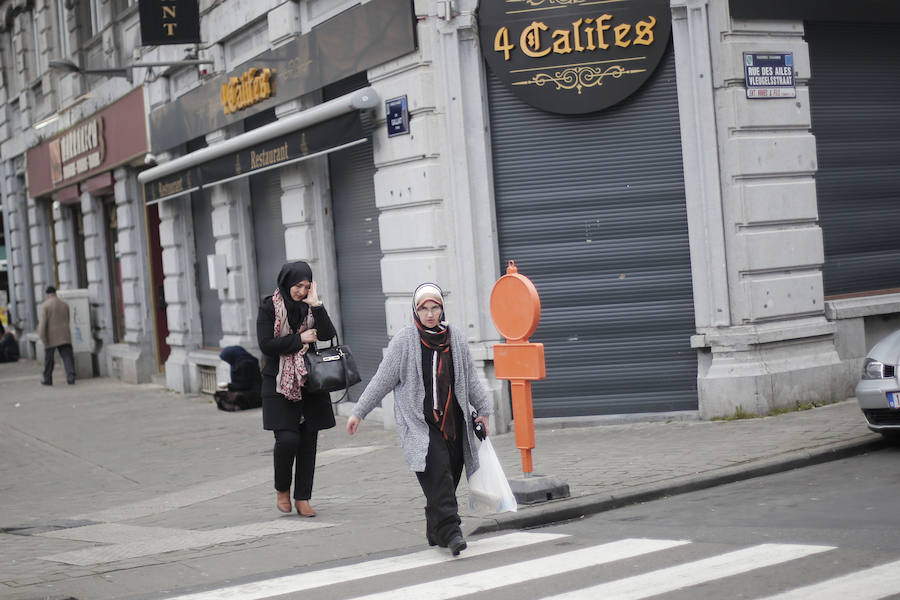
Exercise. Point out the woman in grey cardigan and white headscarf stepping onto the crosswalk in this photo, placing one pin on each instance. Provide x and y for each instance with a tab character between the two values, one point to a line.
429	368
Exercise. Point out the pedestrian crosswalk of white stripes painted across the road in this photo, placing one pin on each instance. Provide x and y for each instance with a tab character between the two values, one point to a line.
526	559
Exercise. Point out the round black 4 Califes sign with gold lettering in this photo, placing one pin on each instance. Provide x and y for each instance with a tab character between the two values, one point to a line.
574	56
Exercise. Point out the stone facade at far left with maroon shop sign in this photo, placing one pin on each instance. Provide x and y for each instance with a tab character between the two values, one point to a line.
72	145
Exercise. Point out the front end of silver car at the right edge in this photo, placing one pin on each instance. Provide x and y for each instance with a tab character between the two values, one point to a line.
878	392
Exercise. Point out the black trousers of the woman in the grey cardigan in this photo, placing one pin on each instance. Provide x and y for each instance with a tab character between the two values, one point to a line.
443	468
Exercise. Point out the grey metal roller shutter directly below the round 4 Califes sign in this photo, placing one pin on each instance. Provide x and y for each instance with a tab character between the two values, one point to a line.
592	209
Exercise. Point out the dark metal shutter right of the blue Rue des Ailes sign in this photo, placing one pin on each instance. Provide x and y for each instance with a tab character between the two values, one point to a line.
855	105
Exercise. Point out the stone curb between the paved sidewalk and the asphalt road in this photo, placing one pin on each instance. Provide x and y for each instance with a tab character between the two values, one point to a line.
567	509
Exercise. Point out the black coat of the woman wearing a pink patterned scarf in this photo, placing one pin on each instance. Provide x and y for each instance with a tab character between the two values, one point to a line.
278	411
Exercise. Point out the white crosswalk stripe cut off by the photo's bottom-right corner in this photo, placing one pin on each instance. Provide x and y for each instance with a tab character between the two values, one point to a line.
868	584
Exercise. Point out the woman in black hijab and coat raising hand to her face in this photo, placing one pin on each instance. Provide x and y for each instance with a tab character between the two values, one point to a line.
289	321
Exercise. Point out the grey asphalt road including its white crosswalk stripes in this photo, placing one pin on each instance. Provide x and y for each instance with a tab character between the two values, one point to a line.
826	532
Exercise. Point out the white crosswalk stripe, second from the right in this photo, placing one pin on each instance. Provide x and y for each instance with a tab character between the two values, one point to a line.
693	573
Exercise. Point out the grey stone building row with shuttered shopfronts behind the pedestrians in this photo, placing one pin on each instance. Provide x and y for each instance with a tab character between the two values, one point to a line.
695	241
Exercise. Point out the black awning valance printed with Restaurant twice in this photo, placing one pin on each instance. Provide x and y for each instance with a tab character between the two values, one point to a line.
273	153
